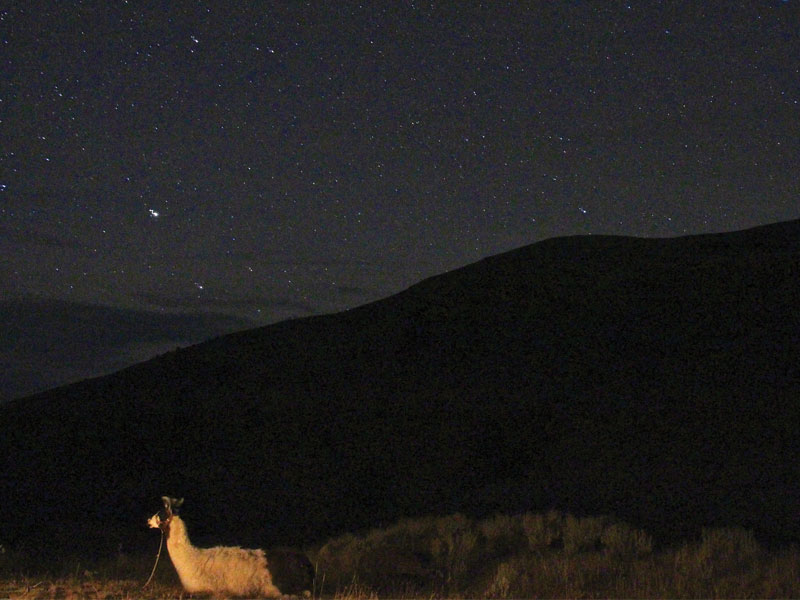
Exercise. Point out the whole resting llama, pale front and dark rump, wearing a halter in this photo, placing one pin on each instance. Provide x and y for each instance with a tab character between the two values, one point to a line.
229	570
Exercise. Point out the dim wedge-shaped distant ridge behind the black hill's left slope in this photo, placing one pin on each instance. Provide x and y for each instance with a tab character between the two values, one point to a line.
48	343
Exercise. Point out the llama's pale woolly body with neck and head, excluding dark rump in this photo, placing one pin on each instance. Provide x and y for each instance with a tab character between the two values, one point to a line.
220	570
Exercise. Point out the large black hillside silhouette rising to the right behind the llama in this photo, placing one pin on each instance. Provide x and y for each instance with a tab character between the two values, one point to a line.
654	379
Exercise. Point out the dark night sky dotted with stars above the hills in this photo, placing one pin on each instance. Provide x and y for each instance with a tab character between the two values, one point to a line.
267	160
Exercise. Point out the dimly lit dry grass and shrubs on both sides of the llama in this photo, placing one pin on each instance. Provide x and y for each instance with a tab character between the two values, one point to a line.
548	555
